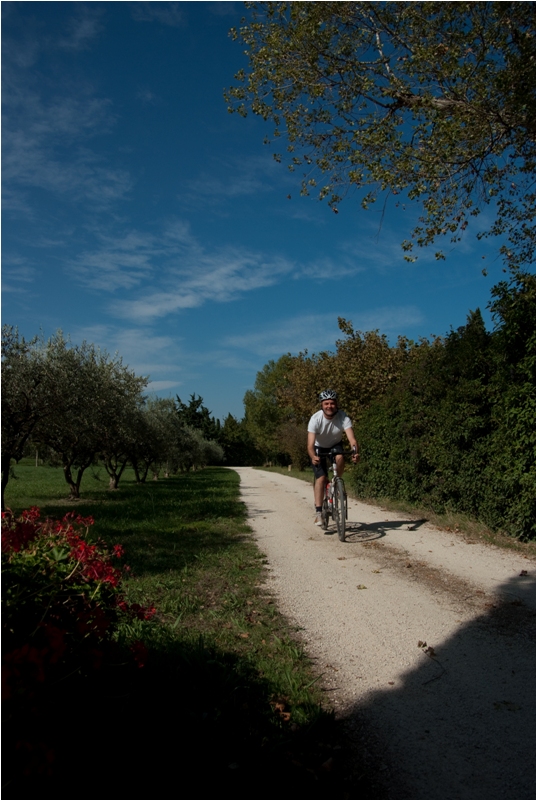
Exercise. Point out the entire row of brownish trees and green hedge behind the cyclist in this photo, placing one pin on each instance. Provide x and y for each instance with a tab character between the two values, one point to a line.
448	422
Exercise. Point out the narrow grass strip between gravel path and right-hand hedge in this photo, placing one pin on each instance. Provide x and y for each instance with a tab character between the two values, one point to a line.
463	524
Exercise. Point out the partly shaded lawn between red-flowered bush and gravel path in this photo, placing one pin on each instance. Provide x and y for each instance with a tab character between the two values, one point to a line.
227	697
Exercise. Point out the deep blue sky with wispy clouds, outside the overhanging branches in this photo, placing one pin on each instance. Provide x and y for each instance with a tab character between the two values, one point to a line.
140	215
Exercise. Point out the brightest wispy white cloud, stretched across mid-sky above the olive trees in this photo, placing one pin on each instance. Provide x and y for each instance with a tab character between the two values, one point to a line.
182	272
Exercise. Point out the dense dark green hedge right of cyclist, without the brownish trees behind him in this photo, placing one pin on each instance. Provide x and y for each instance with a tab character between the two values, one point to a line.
458	429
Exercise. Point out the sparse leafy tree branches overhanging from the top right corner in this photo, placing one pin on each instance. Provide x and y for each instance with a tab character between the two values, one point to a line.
436	101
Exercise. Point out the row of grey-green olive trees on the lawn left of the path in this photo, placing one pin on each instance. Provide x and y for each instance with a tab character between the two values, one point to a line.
78	406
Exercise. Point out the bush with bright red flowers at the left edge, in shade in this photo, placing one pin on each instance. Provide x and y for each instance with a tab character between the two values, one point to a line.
62	599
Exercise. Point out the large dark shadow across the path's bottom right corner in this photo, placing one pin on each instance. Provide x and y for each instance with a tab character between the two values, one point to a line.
463	724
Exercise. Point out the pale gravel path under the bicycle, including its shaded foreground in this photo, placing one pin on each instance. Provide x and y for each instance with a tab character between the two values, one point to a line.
426	641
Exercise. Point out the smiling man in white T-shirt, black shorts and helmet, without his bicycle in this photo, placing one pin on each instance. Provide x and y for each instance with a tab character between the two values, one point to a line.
324	431
